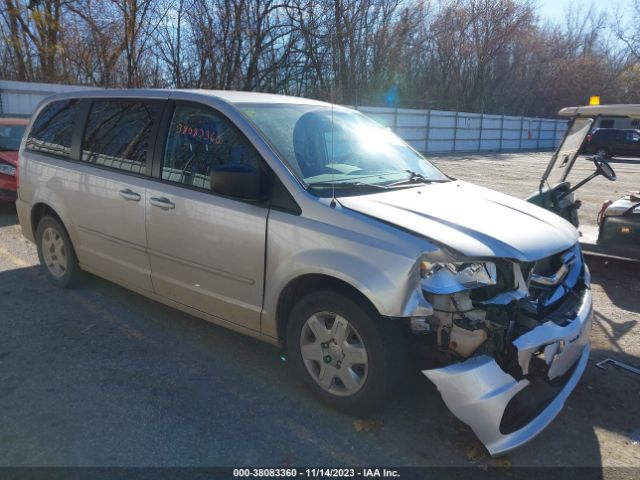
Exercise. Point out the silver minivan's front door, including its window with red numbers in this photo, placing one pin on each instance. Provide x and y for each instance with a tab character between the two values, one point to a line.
206	251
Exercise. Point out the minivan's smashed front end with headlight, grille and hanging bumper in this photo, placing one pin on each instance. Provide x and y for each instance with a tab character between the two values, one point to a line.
515	339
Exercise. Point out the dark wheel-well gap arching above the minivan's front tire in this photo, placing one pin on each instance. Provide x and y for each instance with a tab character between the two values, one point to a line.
300	286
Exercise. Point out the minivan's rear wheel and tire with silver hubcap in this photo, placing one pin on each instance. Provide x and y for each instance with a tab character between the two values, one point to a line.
55	251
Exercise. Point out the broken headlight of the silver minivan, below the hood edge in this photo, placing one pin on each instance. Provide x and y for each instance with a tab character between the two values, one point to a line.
445	278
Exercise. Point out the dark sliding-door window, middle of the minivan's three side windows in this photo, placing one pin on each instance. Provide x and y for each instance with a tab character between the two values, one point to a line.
118	134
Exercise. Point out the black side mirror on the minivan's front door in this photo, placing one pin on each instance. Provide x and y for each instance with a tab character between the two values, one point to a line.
239	181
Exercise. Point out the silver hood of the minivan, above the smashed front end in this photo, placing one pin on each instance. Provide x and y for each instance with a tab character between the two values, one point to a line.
471	220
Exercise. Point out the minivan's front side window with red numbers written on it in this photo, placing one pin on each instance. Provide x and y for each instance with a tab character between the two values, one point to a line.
201	141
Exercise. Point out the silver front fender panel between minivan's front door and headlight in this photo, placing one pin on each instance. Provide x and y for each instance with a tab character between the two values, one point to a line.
386	274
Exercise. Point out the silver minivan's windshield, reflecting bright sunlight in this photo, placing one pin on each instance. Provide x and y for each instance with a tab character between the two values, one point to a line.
339	149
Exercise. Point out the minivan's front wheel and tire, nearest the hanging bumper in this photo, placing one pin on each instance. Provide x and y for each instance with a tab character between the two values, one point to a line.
349	356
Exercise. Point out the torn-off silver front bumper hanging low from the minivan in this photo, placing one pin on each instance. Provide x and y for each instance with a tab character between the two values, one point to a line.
487	399
